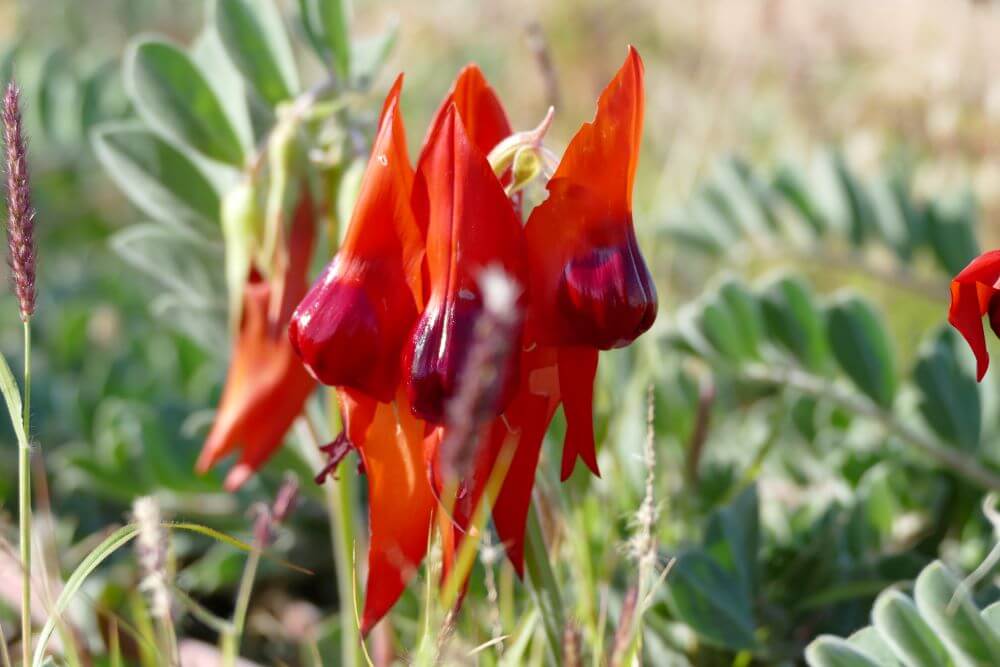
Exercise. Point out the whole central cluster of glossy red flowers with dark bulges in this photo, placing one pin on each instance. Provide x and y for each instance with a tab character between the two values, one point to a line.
391	321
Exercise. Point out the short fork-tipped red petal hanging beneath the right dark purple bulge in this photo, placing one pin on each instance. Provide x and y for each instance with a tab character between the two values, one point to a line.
577	369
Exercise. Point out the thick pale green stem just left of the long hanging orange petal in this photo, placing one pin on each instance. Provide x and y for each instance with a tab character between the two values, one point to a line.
339	495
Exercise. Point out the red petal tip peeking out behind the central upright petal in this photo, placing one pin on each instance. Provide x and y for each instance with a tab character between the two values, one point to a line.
479	108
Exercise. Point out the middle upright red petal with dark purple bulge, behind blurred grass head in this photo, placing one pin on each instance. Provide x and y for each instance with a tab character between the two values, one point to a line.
471	226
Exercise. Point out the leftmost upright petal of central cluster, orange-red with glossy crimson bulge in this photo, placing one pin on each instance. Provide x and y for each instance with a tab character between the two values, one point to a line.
350	327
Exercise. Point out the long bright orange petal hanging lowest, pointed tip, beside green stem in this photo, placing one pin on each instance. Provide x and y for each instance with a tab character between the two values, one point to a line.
400	503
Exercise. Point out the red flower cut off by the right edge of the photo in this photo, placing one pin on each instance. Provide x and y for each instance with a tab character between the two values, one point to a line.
974	294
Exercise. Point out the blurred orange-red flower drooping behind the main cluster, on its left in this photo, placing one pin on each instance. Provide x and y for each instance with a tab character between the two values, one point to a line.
266	385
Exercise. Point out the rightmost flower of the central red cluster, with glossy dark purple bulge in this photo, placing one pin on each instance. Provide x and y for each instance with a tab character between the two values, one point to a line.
589	290
